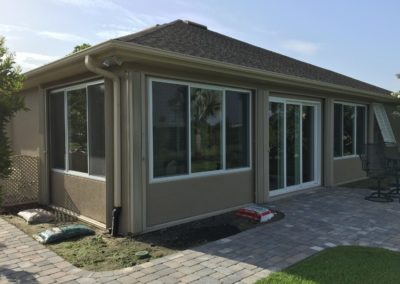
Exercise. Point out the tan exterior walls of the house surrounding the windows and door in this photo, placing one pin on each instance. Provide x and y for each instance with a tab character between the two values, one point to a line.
151	204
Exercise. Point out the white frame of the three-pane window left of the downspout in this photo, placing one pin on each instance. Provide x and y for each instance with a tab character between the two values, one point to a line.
65	90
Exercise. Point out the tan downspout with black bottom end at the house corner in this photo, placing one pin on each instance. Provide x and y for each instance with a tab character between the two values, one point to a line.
117	140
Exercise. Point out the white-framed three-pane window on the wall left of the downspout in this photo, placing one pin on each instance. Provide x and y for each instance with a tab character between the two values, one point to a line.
77	129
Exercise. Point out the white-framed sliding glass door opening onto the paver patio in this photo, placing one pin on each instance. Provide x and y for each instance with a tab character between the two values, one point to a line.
293	145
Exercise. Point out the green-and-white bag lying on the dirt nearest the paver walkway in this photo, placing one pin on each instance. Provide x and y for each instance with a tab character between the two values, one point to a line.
62	233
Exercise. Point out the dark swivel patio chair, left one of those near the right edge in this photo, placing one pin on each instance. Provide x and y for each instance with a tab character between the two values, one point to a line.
374	164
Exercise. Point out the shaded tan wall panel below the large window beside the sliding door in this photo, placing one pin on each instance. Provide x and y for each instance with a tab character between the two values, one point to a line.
171	201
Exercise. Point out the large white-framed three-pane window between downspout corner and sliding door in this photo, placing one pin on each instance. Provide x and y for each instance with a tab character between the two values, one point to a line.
197	128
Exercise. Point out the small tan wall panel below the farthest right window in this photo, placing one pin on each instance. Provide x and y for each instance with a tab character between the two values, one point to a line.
347	170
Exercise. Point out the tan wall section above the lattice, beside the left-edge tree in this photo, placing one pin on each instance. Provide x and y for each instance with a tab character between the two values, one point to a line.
24	128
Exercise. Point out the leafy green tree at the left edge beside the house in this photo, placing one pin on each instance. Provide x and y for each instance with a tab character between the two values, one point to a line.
11	81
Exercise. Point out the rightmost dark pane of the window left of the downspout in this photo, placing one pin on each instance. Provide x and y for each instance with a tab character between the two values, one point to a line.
96	129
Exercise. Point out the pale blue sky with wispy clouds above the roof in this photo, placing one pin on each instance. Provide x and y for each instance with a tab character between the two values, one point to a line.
356	38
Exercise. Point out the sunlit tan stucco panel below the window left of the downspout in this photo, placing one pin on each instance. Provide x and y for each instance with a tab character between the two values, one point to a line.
81	195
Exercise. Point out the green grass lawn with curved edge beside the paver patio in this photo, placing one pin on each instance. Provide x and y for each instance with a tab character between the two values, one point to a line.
346	264
